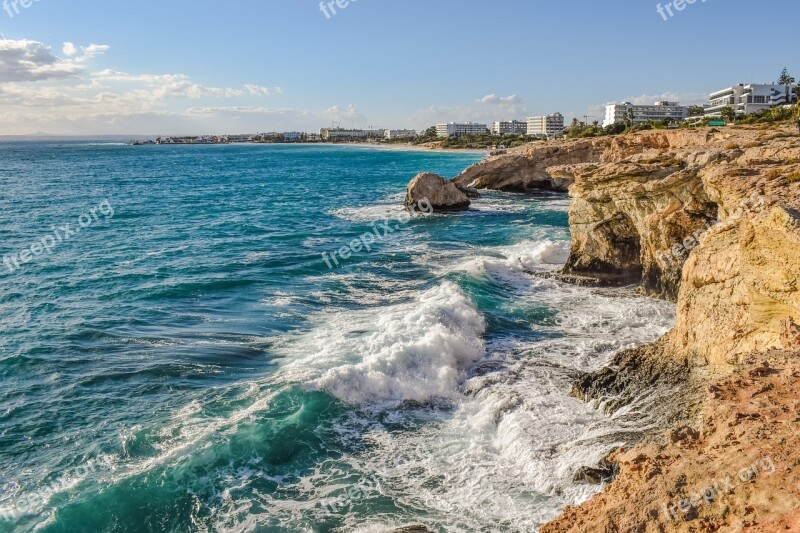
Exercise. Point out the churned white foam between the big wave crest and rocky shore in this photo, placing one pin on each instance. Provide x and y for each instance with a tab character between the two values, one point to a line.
510	451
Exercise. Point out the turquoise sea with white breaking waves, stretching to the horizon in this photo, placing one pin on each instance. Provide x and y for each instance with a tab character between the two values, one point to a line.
182	358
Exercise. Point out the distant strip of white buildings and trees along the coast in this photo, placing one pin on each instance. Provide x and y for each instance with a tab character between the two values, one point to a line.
724	106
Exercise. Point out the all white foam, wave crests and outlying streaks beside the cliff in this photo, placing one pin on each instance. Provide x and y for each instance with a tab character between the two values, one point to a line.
506	451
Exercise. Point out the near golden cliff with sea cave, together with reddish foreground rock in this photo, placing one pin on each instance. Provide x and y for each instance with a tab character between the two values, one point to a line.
713	223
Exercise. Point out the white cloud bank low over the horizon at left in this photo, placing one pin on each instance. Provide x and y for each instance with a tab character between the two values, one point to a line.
42	92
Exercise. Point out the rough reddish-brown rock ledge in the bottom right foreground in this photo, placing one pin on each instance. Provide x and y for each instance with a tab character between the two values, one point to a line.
739	472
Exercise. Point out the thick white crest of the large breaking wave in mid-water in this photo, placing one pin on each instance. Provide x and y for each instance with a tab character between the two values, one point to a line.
417	350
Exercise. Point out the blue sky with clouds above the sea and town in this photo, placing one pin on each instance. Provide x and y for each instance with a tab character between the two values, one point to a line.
183	67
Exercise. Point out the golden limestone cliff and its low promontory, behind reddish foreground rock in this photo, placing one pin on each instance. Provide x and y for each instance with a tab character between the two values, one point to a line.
708	218
